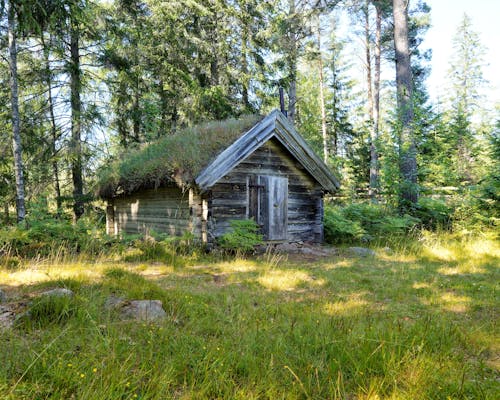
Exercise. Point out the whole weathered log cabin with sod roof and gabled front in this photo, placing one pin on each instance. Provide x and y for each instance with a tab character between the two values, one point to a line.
199	180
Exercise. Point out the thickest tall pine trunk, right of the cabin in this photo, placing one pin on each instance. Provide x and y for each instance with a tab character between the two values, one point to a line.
408	154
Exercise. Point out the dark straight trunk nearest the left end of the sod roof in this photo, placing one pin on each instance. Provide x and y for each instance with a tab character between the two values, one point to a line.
76	125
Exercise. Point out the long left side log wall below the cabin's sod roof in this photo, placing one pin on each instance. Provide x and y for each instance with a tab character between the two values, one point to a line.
164	210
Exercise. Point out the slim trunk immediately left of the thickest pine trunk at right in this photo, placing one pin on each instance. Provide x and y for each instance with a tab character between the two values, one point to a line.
374	179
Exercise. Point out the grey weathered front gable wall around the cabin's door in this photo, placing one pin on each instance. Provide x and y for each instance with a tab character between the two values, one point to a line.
229	198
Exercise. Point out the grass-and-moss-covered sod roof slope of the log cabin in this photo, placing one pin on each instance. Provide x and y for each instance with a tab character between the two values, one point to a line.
176	158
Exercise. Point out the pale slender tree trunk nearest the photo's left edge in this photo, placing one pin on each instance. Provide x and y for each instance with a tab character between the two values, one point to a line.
16	126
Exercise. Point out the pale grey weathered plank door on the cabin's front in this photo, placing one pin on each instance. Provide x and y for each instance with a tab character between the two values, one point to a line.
274	206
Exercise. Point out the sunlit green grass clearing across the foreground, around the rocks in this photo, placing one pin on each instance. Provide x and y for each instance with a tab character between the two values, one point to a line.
406	324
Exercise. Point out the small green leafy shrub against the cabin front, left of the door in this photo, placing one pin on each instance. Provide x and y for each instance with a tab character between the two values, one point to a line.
242	238
